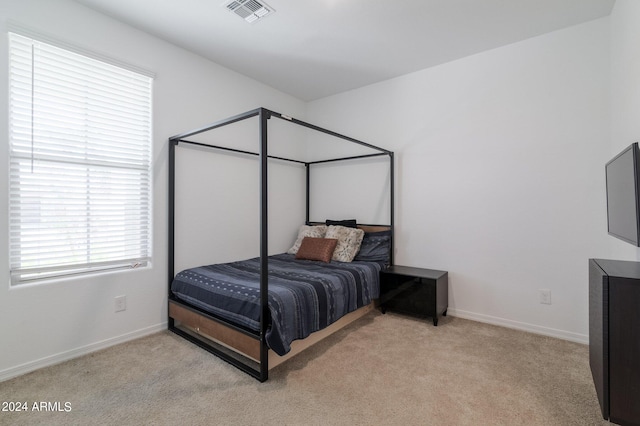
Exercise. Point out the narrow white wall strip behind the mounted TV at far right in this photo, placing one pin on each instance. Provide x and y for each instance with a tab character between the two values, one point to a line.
625	93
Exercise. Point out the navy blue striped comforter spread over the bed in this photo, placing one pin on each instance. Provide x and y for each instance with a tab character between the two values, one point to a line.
304	295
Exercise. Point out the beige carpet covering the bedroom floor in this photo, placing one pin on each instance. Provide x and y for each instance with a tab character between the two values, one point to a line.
383	369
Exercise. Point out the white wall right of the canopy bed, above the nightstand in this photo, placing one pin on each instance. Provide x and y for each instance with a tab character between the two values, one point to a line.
500	173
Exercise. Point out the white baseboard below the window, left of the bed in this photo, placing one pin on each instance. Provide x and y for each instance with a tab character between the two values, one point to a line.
74	353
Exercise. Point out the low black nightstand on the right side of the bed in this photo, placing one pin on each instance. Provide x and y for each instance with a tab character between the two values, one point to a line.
416	291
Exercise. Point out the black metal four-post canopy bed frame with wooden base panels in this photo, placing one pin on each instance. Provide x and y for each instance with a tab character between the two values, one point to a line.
248	349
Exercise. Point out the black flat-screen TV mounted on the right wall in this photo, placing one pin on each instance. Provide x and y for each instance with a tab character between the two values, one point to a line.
623	208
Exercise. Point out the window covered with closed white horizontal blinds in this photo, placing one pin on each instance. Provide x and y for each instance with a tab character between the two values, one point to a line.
80	162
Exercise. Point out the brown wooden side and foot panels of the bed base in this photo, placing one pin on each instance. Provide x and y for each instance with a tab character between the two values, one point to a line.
247	346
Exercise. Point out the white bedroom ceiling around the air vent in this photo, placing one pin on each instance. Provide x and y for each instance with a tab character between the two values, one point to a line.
316	48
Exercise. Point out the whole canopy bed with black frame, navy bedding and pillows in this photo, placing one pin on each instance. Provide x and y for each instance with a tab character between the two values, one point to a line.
255	313
